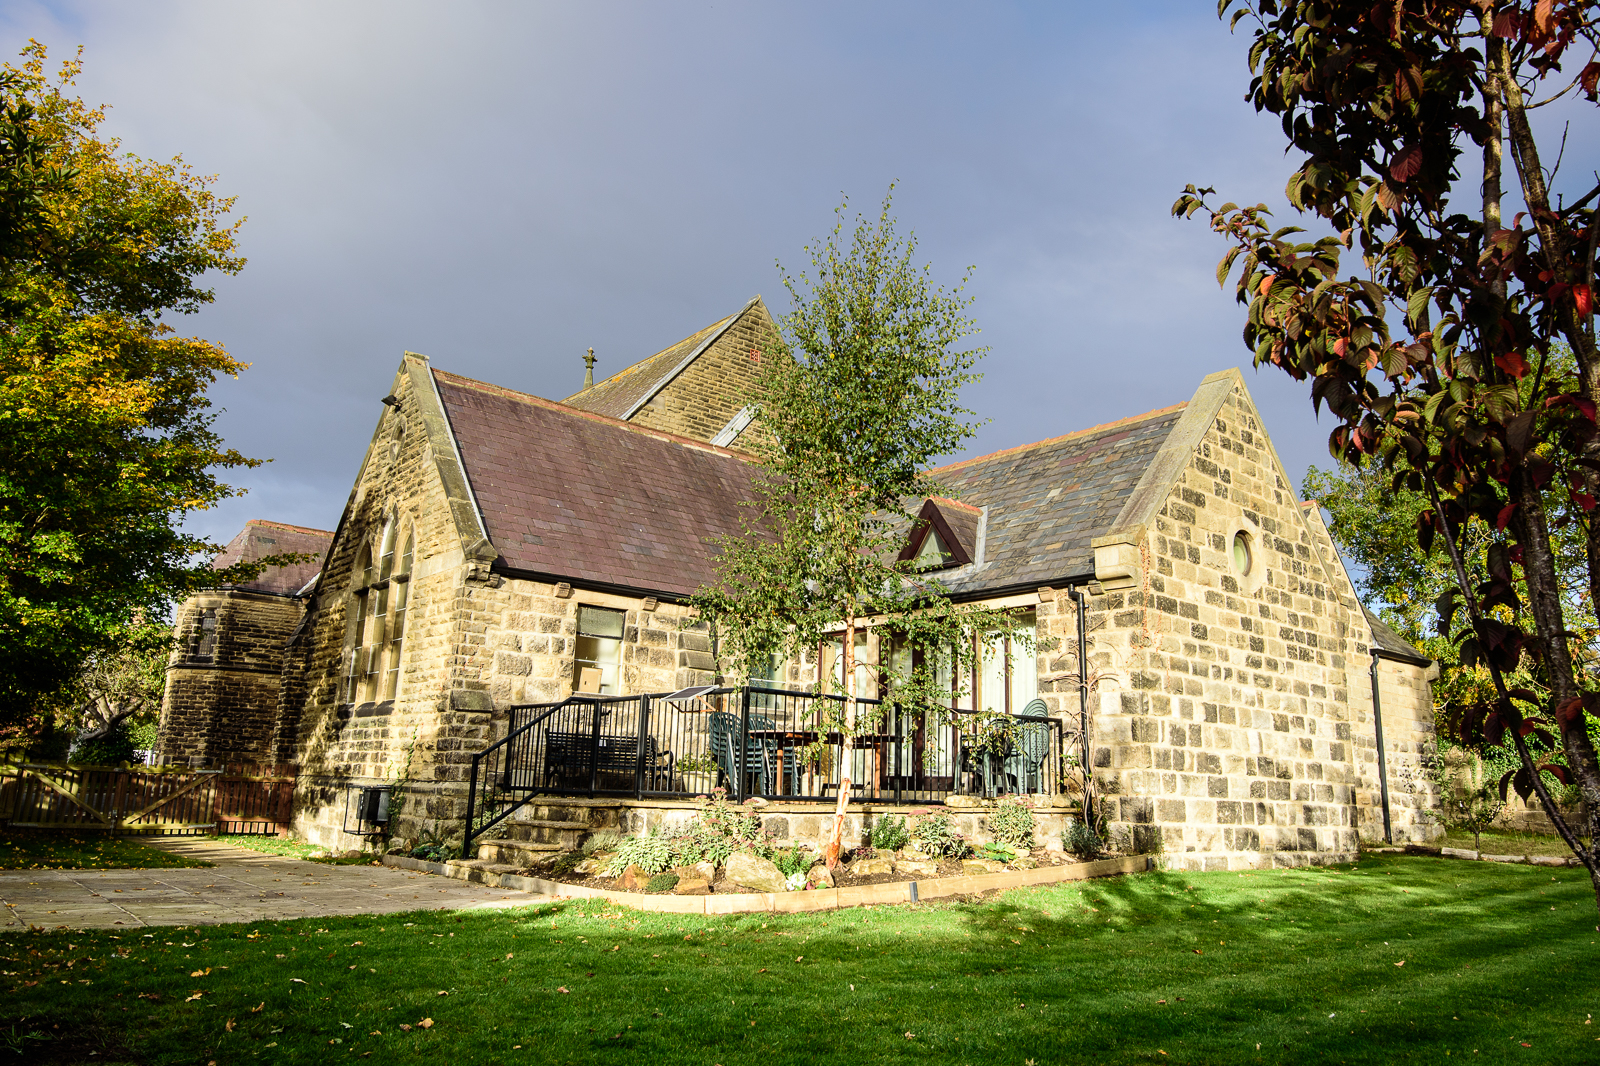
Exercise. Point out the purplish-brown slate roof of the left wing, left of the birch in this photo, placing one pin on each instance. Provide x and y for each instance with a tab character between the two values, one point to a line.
588	499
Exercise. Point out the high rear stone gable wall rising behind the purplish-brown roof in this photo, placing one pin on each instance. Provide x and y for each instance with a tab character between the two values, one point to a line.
714	388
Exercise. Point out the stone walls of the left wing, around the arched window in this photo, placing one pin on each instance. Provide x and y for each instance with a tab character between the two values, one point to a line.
476	644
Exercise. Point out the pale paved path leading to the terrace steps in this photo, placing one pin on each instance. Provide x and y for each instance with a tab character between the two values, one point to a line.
242	888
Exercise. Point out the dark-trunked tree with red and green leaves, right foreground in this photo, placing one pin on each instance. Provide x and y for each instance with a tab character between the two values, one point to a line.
1385	102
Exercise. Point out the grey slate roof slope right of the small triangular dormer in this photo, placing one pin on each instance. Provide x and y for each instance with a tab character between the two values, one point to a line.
1046	502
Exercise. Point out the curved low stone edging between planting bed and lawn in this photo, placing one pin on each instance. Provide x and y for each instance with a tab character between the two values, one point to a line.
790	902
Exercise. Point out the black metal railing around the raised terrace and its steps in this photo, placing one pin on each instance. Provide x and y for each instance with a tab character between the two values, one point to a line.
758	742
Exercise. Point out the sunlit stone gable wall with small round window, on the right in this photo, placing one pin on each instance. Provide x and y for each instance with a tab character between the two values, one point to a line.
1230	703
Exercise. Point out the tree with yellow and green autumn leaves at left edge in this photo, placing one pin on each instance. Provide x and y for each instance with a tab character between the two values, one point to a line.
106	435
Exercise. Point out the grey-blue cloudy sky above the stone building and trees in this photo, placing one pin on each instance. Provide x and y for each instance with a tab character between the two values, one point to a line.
505	185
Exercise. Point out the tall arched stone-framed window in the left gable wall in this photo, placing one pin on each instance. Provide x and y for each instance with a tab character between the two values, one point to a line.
380	591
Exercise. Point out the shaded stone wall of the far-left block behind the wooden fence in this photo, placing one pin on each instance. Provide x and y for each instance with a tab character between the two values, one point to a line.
223	678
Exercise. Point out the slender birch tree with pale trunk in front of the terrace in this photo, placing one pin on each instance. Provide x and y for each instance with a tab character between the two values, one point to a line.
858	396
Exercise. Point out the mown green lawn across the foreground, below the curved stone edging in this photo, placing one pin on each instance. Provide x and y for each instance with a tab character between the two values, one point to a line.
1394	960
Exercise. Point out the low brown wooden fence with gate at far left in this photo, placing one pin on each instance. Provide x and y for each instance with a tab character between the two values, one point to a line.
146	799
